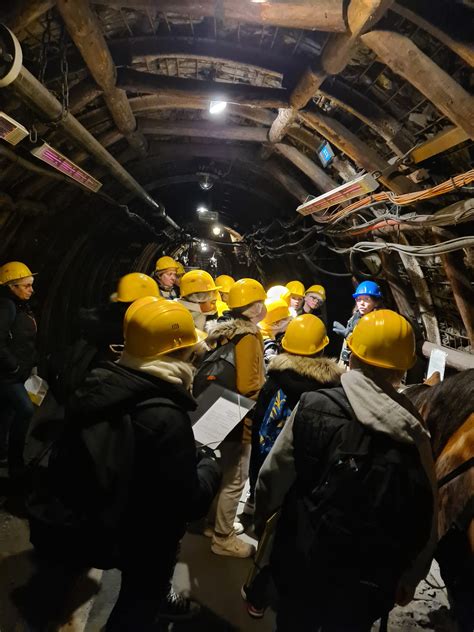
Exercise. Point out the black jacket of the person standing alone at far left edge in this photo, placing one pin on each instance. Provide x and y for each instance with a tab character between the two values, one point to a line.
17	338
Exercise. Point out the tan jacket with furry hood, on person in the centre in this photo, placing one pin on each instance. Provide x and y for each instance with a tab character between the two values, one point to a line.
250	374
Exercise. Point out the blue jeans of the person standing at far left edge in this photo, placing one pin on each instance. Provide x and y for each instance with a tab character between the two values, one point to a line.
16	411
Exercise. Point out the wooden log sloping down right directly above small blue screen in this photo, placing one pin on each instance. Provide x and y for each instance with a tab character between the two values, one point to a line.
363	155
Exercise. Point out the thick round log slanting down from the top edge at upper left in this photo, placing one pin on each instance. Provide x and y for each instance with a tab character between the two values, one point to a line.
84	28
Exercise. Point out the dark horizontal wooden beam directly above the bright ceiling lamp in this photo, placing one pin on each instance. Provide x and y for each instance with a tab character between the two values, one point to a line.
193	89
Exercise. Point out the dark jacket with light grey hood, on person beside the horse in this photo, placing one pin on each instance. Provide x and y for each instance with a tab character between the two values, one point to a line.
377	406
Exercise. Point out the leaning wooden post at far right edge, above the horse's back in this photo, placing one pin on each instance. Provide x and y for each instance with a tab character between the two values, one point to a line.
460	284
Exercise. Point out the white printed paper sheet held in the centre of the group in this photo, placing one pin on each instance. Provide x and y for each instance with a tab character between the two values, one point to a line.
216	423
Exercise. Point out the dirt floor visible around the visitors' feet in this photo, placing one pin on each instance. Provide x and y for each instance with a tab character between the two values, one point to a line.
214	581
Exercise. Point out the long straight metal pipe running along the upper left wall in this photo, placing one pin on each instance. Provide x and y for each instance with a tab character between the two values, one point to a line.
41	99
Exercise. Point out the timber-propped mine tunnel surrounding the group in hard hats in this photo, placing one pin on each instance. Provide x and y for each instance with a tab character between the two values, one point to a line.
328	141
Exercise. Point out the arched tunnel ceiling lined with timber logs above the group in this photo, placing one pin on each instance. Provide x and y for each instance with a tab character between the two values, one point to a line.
387	84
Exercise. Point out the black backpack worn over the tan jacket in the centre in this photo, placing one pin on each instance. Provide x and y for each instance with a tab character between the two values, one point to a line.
218	367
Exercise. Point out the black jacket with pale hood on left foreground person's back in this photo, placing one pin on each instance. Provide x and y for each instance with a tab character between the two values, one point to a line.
136	435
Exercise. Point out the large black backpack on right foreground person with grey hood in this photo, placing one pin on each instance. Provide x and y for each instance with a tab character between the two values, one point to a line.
370	513
